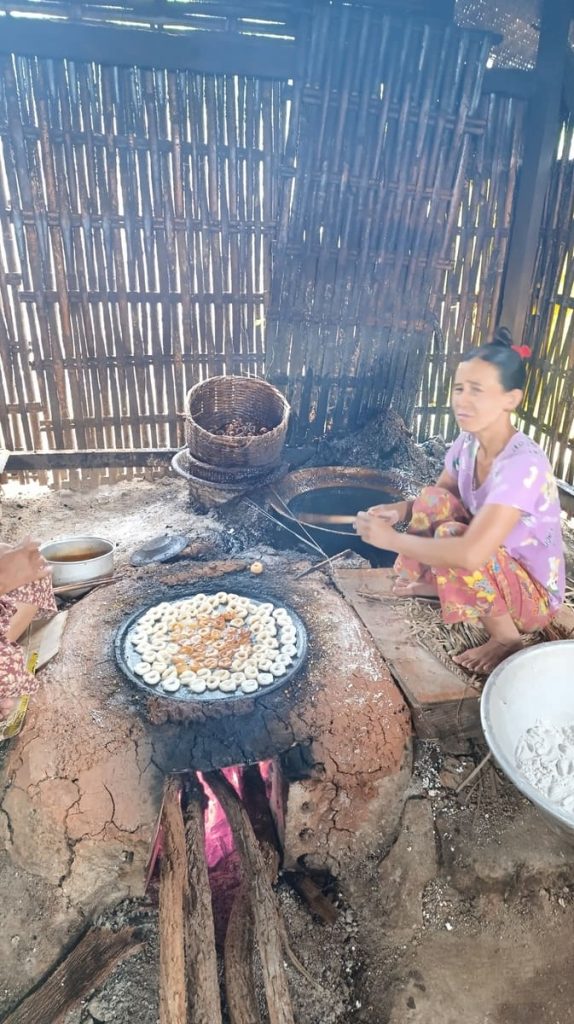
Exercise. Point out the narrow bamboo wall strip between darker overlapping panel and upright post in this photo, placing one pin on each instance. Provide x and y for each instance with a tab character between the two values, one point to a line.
468	302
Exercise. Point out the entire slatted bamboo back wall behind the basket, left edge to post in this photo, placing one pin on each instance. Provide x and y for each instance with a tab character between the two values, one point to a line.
343	234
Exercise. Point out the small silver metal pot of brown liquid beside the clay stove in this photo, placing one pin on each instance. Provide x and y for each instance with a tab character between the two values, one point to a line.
78	560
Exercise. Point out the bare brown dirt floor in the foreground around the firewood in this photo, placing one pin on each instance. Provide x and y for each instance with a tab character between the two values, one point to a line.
468	918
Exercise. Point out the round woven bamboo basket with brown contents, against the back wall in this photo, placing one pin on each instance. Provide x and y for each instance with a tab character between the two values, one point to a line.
214	403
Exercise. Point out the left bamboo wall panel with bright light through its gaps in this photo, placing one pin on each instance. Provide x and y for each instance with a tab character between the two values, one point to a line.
137	216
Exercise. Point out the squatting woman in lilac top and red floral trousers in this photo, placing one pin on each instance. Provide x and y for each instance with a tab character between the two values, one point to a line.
487	540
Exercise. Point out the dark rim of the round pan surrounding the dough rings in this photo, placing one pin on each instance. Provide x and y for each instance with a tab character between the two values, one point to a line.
127	658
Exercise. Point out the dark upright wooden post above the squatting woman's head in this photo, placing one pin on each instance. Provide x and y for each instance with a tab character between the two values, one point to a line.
542	122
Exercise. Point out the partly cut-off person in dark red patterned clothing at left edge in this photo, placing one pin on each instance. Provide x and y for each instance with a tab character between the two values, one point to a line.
26	590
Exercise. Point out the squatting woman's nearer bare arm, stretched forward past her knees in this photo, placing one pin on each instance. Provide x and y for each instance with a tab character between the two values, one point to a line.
488	532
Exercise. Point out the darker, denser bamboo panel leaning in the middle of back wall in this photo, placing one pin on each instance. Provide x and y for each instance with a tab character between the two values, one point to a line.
379	149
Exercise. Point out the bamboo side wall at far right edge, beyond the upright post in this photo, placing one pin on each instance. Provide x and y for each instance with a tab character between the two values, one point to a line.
549	405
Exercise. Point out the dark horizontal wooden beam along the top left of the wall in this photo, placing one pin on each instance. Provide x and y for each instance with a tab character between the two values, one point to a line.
212	53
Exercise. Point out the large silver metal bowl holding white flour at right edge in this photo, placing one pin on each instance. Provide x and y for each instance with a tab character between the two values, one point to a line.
532	687
